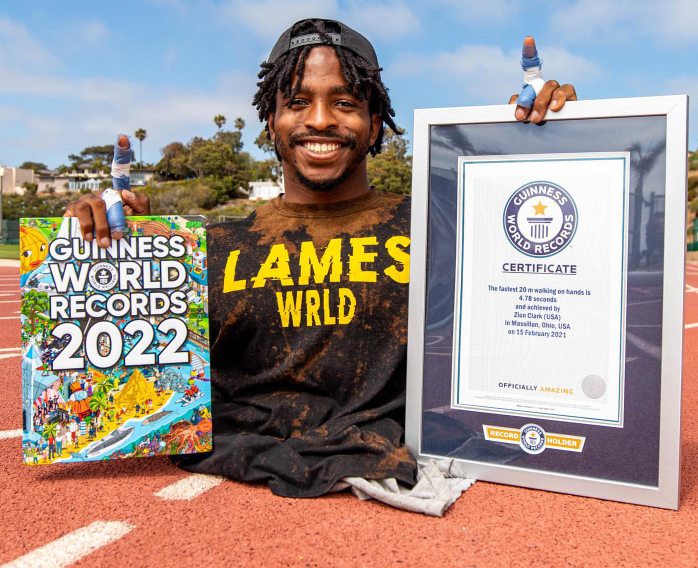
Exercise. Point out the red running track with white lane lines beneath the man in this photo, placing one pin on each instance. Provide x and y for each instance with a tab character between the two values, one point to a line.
233	524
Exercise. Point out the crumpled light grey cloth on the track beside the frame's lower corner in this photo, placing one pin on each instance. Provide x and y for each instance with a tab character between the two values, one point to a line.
439	484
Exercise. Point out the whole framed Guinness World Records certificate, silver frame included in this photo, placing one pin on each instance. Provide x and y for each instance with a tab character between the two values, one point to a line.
546	296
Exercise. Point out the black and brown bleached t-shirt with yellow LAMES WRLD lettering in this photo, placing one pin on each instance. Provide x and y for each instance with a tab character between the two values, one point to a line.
308	308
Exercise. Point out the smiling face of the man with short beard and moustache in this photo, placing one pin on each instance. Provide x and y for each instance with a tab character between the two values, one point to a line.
324	136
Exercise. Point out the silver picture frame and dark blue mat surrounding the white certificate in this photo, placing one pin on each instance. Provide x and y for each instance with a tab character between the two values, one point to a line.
638	461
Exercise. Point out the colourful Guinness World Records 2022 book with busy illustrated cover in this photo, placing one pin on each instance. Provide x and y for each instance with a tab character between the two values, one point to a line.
115	350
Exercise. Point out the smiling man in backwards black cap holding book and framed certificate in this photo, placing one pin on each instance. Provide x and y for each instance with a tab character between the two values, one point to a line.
308	295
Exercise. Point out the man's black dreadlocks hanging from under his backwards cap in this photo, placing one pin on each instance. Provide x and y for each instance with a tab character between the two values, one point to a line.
358	73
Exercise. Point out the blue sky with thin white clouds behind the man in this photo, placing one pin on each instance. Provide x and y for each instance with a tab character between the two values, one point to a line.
73	74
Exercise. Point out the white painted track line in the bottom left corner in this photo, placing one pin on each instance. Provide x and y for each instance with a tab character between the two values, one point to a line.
73	546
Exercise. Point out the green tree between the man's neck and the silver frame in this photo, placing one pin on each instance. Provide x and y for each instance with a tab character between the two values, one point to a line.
391	170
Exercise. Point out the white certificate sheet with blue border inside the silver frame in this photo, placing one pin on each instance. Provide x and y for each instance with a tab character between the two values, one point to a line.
539	302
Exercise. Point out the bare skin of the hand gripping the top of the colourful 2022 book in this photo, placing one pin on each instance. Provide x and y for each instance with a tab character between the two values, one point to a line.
91	212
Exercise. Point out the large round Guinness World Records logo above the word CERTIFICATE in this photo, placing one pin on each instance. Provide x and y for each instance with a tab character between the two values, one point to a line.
540	219
